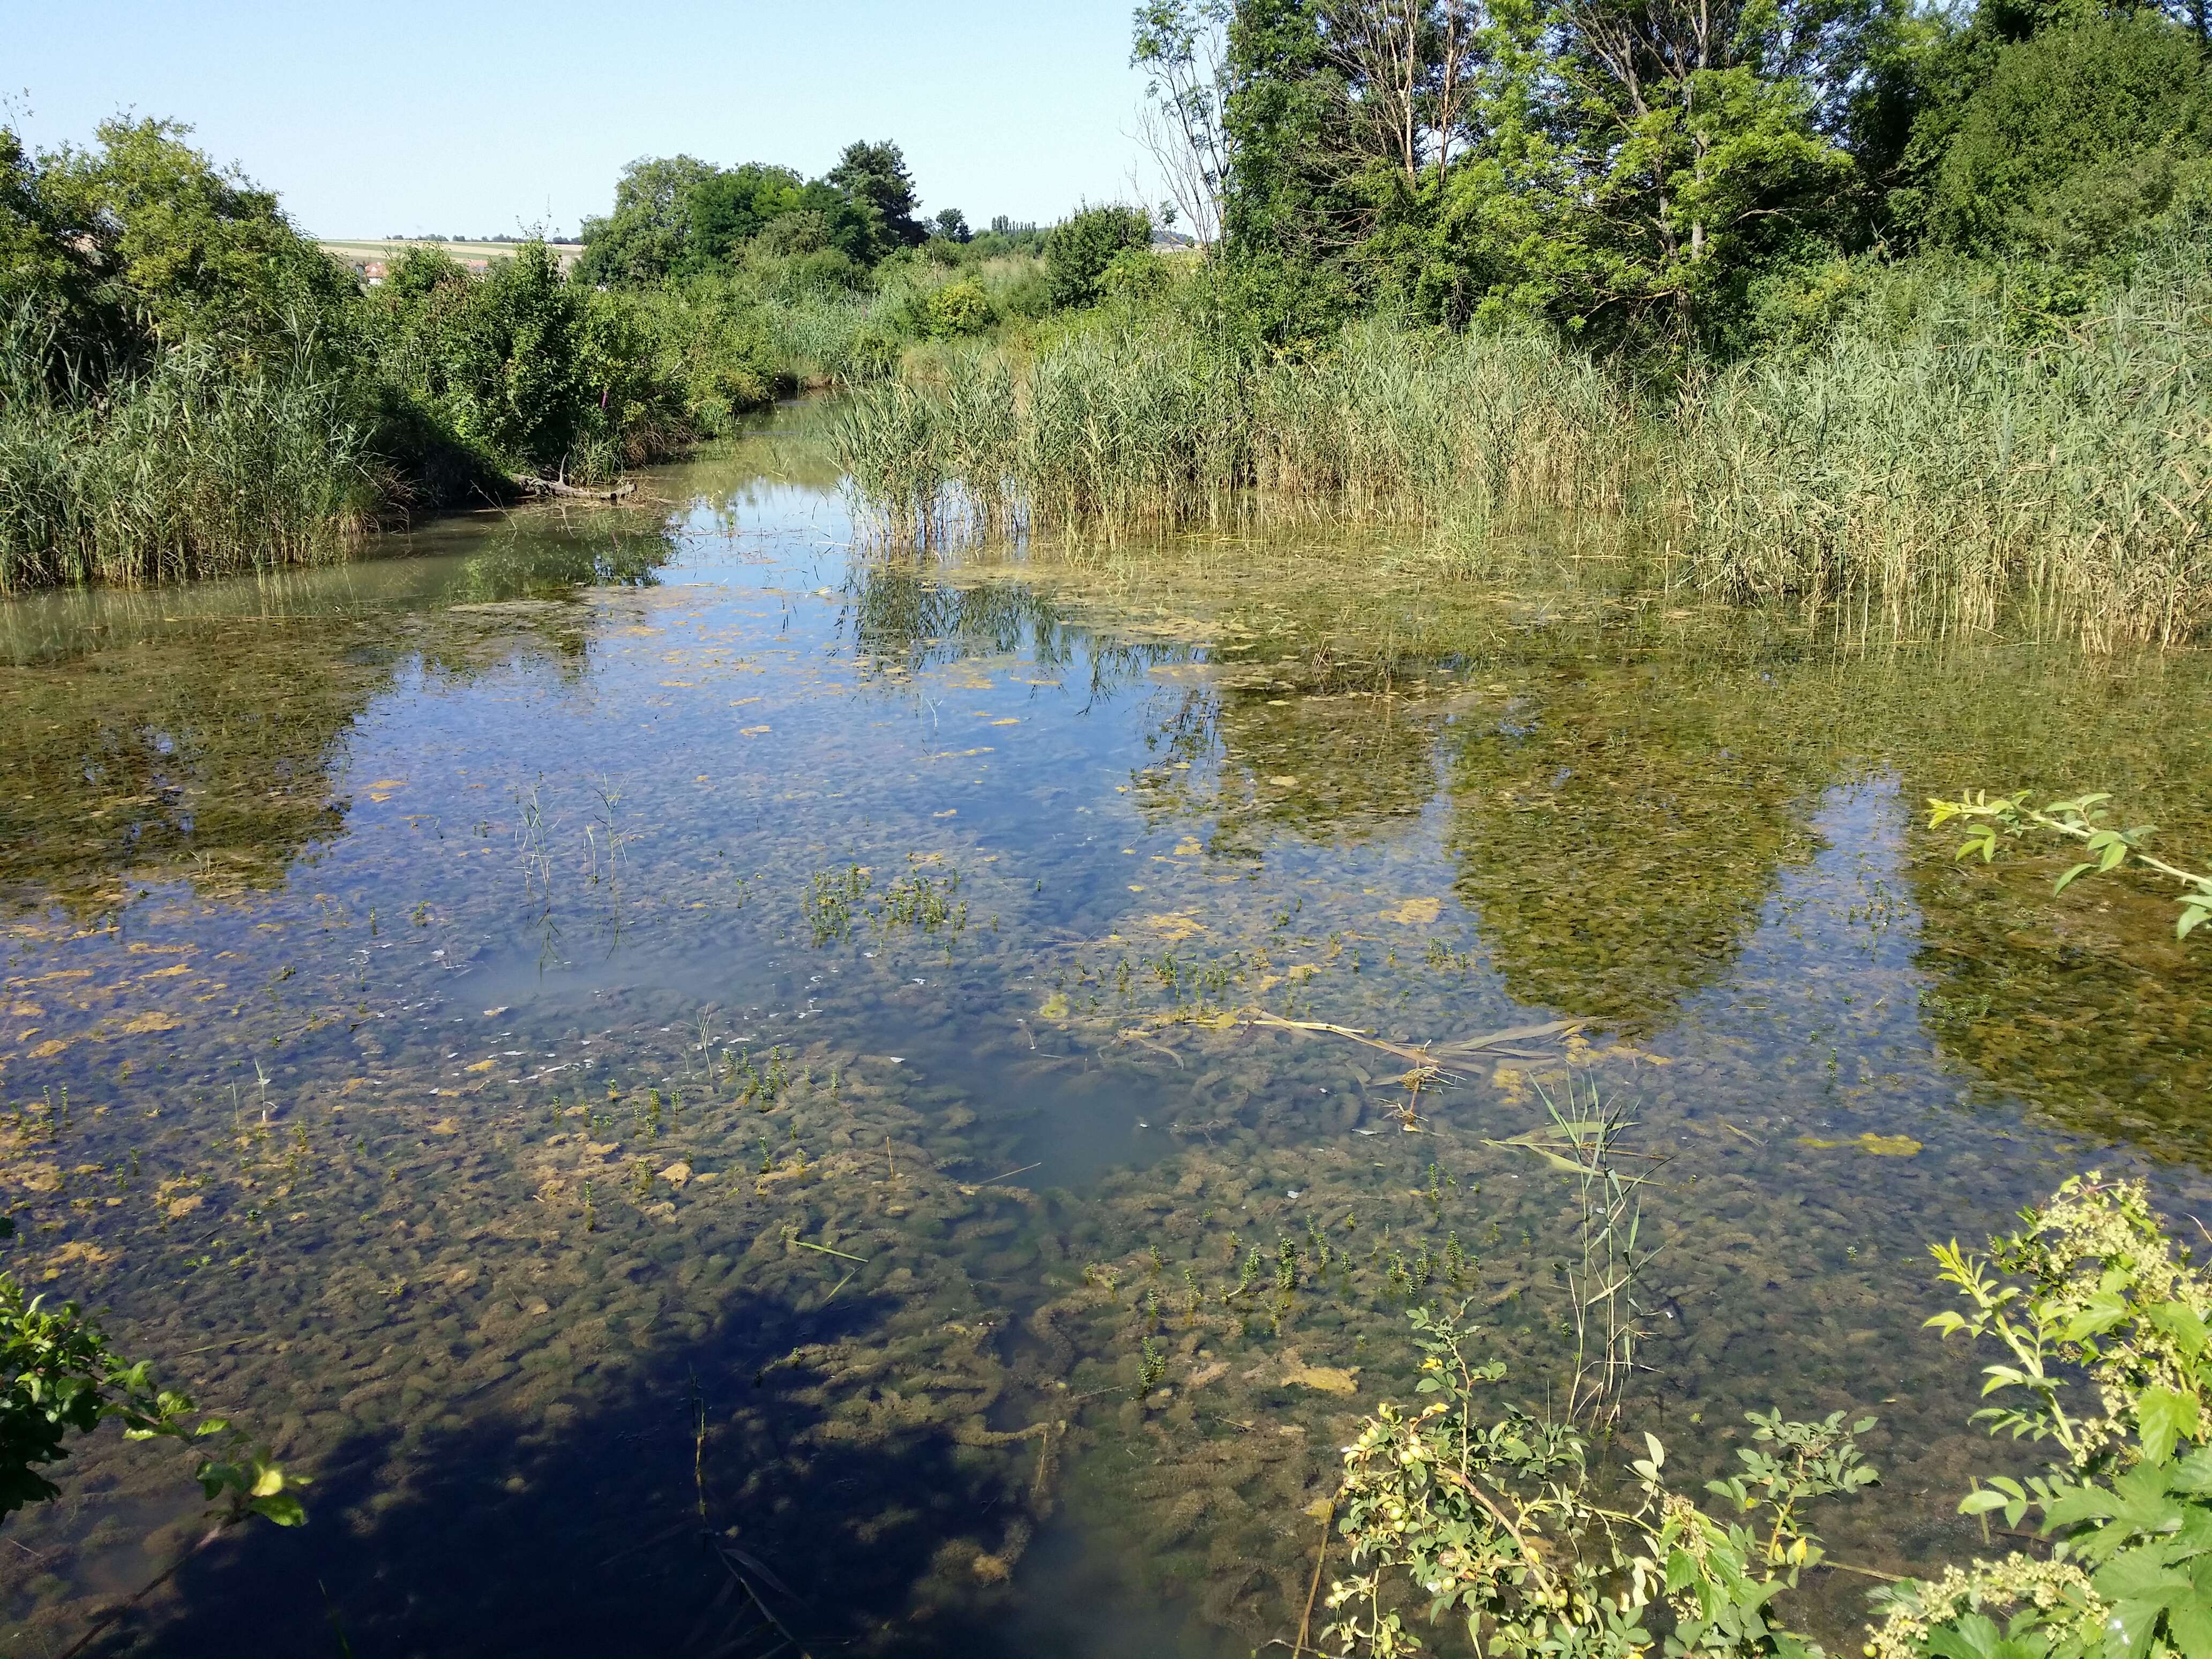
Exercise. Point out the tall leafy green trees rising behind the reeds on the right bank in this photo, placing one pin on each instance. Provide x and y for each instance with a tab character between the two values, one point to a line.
1642	171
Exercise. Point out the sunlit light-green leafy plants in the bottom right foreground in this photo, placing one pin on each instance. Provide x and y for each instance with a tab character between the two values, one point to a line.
1494	1519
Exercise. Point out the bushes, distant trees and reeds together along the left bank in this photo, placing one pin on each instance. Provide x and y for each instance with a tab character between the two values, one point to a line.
191	386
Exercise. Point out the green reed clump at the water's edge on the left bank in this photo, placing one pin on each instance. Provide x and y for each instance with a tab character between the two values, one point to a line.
178	472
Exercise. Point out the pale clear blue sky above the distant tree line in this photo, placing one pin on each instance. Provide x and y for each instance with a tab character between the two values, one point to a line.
481	116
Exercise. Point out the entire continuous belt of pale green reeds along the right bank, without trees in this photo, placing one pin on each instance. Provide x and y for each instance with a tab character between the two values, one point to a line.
1937	474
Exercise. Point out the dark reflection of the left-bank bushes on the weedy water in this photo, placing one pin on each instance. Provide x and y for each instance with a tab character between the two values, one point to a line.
202	733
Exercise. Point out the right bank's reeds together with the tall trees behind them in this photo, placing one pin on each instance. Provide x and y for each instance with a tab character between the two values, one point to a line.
1846	304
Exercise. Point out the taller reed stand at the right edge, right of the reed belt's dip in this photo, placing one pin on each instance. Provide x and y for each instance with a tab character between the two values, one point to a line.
1950	477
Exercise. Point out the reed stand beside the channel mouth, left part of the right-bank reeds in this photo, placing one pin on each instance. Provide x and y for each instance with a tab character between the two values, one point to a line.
1125	430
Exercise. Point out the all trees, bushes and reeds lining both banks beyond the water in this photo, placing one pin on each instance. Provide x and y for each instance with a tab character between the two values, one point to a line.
1839	304
